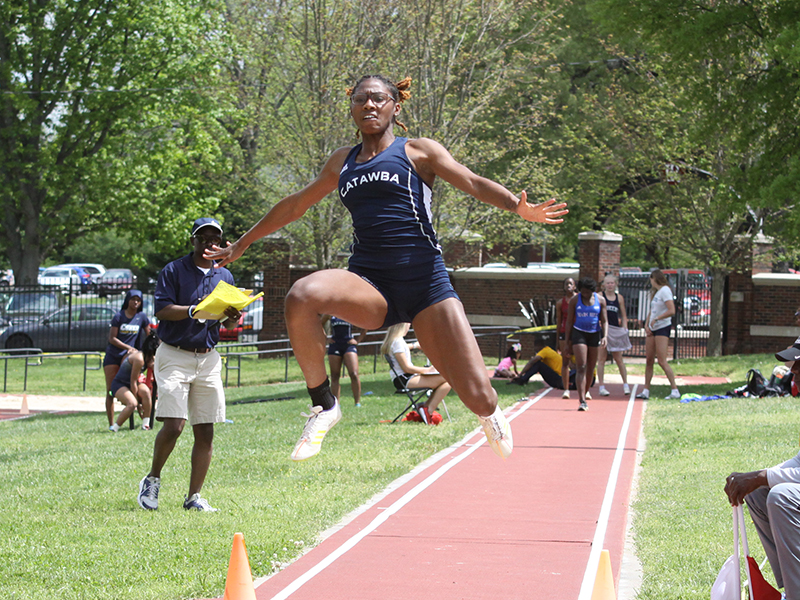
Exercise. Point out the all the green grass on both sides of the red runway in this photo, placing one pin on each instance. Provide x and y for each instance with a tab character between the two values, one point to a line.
71	527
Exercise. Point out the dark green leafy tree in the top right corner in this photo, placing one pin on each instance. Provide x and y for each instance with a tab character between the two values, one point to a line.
737	63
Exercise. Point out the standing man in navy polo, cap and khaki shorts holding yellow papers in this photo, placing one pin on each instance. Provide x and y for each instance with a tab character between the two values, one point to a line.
187	366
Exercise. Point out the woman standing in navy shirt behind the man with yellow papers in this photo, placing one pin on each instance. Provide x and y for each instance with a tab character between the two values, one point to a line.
128	328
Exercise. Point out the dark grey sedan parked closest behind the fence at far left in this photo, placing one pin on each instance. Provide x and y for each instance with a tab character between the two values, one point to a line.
75	328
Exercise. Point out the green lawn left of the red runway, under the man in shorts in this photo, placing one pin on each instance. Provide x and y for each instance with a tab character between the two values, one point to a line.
71	528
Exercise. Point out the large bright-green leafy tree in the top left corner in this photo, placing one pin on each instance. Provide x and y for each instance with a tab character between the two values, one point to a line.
75	77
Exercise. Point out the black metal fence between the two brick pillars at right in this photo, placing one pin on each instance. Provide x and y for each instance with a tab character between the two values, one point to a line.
692	296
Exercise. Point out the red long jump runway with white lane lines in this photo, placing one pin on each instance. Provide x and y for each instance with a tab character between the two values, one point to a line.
467	525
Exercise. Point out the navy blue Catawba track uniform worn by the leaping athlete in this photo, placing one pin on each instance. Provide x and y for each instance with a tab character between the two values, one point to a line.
394	244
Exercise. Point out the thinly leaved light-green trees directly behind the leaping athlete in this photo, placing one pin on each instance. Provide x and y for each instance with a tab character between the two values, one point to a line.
466	59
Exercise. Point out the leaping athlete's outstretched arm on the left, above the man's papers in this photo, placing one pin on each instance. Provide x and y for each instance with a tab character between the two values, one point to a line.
287	210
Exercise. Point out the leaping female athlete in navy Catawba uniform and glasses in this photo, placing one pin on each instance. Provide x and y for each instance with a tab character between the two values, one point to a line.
396	272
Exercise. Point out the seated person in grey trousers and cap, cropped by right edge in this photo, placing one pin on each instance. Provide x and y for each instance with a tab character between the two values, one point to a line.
773	497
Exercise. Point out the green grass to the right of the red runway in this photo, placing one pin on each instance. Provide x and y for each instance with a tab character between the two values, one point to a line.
682	519
